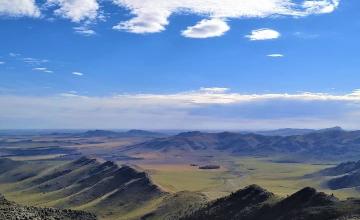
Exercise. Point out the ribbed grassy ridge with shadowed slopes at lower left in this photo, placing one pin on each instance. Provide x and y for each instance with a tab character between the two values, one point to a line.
103	188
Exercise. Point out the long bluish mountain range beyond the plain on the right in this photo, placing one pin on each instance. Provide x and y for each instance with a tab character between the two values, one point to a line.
333	143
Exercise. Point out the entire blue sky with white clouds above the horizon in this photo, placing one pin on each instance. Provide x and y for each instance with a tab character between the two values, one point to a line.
179	64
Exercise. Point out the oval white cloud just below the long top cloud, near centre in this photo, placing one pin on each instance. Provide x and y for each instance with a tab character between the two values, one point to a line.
207	28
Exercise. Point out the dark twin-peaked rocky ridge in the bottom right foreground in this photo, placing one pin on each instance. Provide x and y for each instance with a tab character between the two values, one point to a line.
255	203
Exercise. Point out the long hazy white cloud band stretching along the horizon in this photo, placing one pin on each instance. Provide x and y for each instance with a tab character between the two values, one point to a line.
207	108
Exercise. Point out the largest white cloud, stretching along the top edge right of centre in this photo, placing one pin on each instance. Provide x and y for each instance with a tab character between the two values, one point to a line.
151	16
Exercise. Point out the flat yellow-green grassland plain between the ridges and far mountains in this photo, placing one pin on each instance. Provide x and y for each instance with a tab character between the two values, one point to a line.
282	178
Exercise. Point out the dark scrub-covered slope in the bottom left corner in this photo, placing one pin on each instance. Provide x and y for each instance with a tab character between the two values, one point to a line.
12	211
